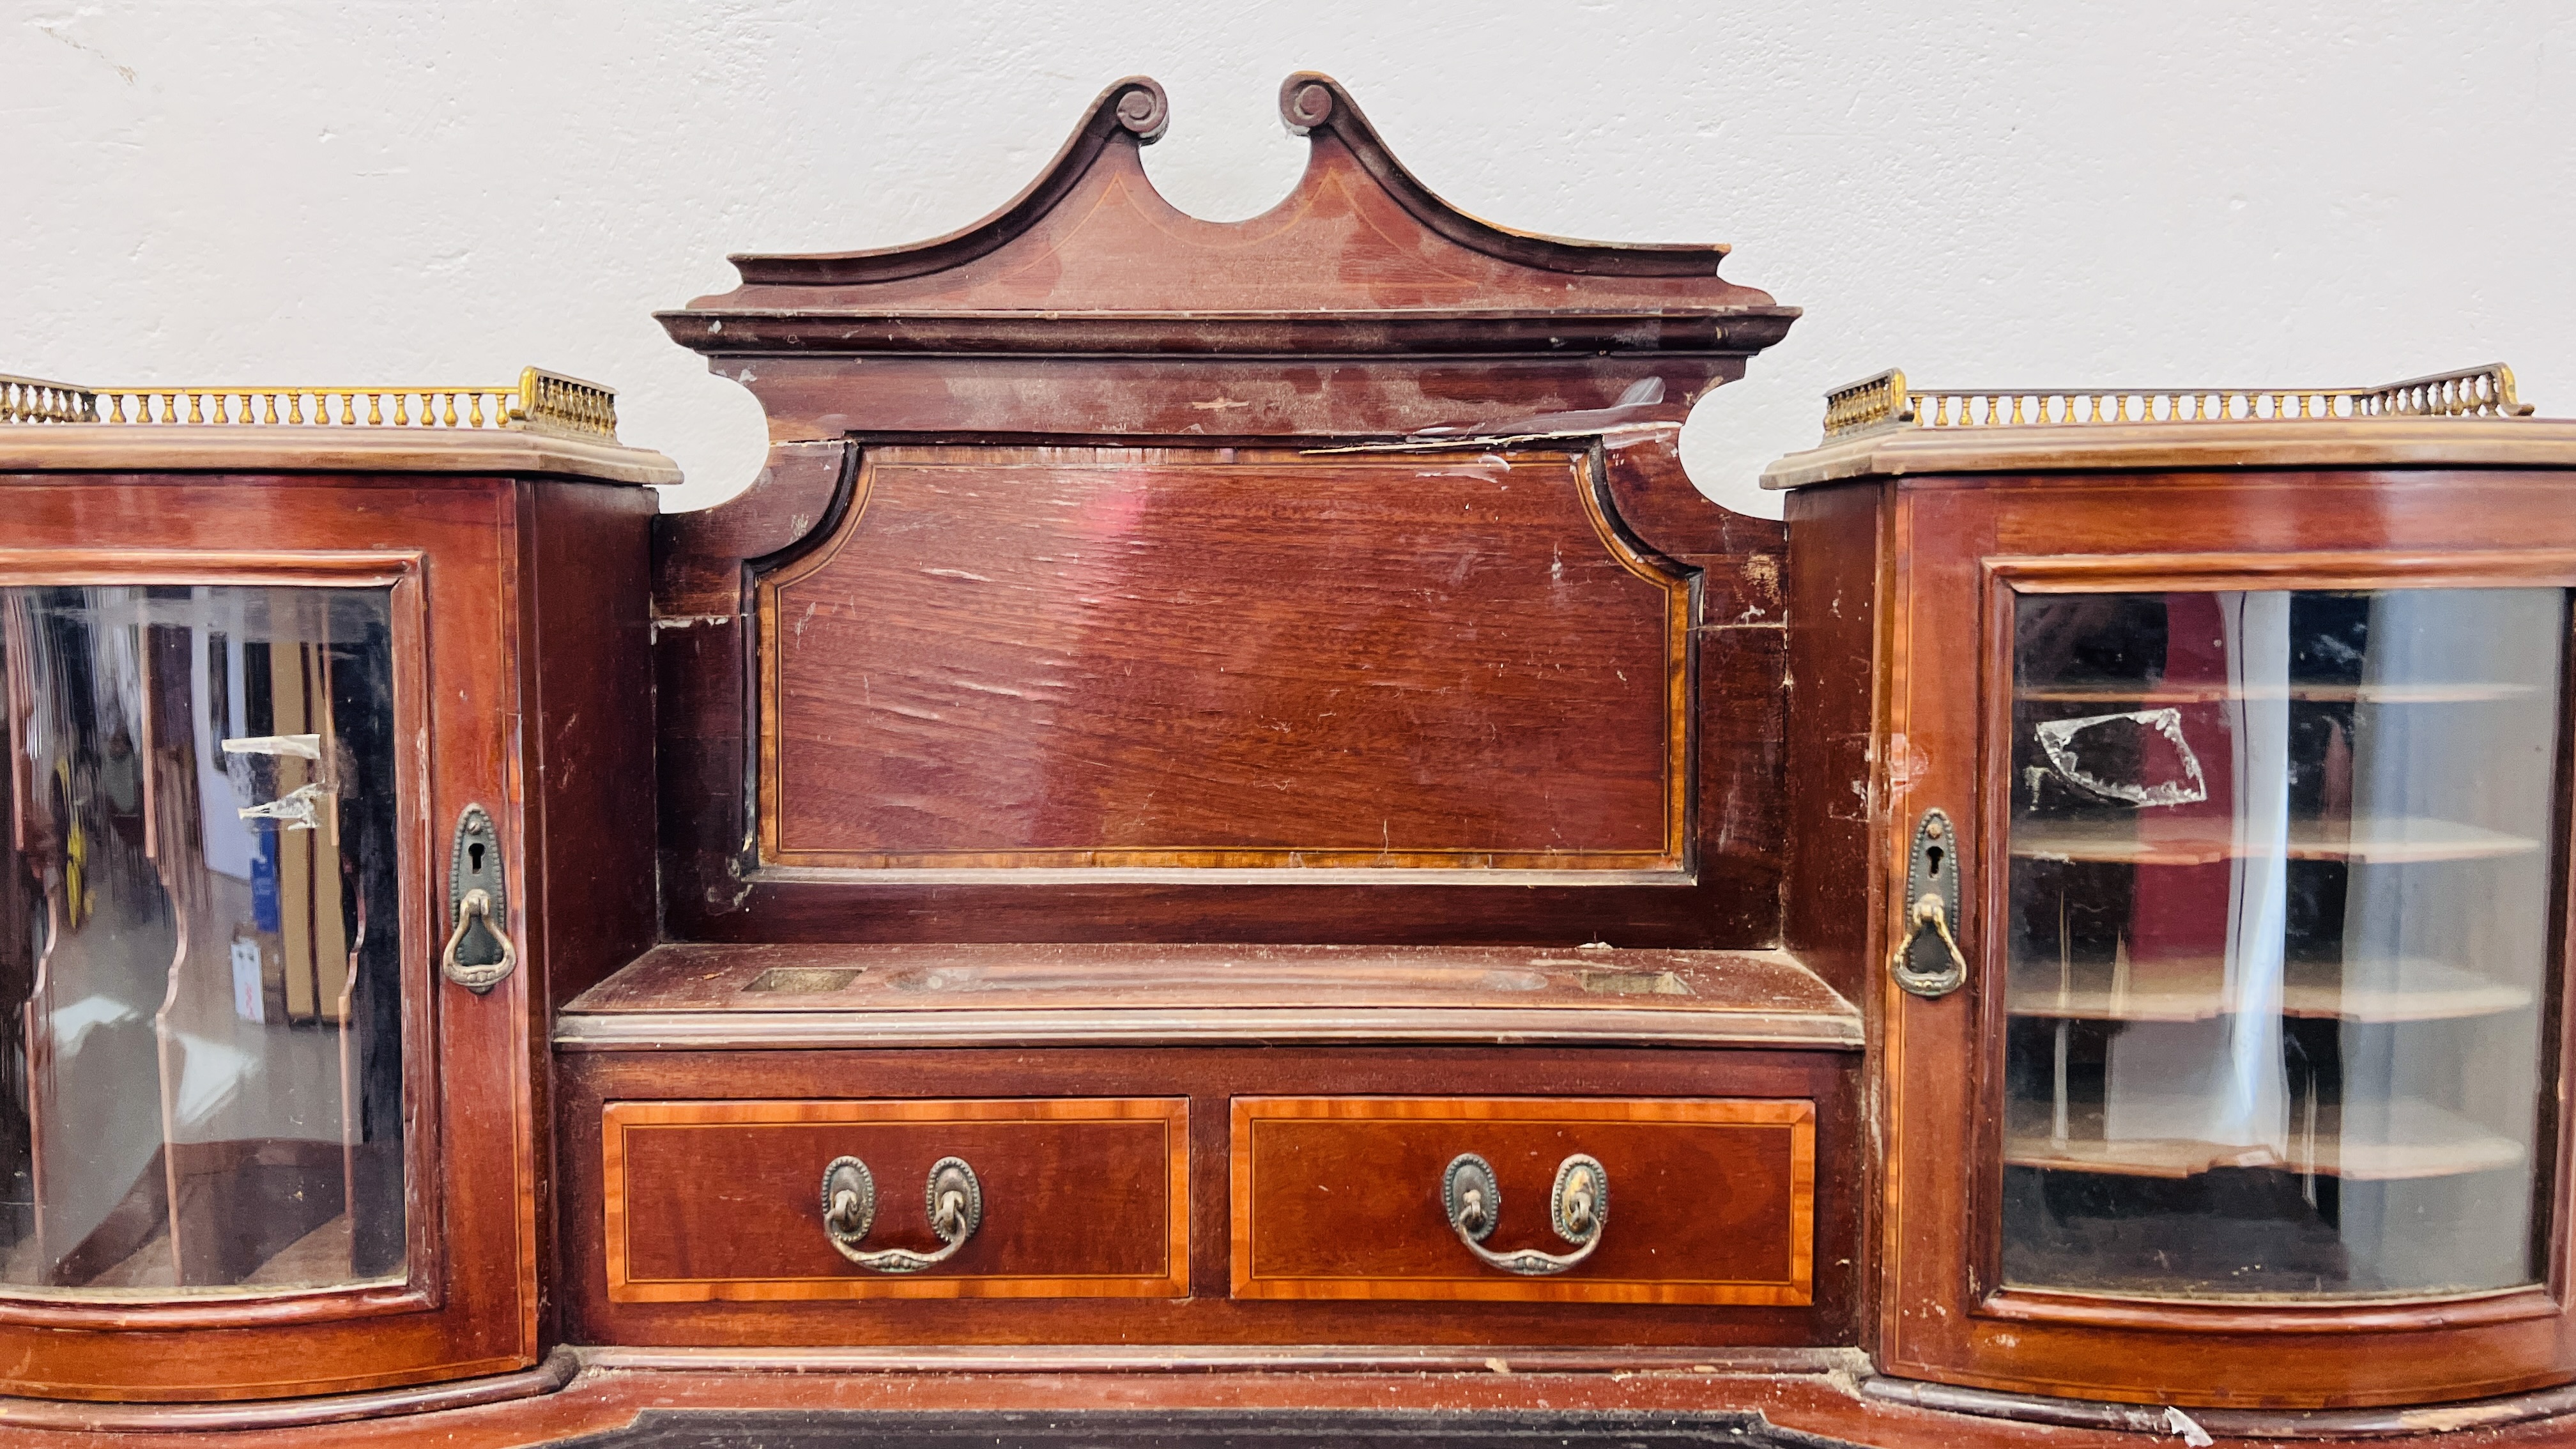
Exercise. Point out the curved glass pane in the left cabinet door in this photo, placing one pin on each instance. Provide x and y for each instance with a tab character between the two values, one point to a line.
200	942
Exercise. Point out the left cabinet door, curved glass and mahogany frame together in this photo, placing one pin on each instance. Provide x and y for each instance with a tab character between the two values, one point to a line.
233	1074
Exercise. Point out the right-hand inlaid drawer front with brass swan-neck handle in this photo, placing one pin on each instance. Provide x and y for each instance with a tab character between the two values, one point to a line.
1346	1198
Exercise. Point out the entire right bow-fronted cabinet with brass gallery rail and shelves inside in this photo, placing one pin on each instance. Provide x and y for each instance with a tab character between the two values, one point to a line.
2217	868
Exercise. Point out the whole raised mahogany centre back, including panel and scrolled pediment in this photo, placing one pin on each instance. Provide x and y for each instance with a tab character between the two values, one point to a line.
1091	316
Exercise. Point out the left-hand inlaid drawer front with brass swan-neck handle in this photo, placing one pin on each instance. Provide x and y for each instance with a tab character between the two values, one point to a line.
725	1200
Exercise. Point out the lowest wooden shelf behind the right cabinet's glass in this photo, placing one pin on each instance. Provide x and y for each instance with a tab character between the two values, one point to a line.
2392	1141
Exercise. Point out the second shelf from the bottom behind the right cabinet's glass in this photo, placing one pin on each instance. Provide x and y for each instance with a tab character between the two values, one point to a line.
2196	991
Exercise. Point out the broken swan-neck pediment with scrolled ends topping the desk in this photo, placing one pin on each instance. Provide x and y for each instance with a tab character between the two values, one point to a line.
1356	259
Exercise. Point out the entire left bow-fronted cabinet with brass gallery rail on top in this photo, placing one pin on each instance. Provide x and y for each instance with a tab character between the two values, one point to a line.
321	780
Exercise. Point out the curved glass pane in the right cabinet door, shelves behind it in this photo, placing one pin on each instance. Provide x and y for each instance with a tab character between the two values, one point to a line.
2281	924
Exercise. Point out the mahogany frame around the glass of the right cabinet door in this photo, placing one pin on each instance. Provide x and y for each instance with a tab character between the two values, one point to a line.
1956	550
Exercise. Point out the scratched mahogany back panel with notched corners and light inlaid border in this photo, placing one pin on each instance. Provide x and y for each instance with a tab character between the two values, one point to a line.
1227	659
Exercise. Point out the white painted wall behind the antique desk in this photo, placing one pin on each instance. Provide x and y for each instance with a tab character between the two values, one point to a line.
1982	192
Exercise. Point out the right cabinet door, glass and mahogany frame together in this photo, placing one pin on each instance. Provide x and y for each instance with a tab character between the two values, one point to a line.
2237	886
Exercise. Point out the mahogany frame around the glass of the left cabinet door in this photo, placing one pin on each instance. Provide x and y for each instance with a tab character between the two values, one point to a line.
468	1296
